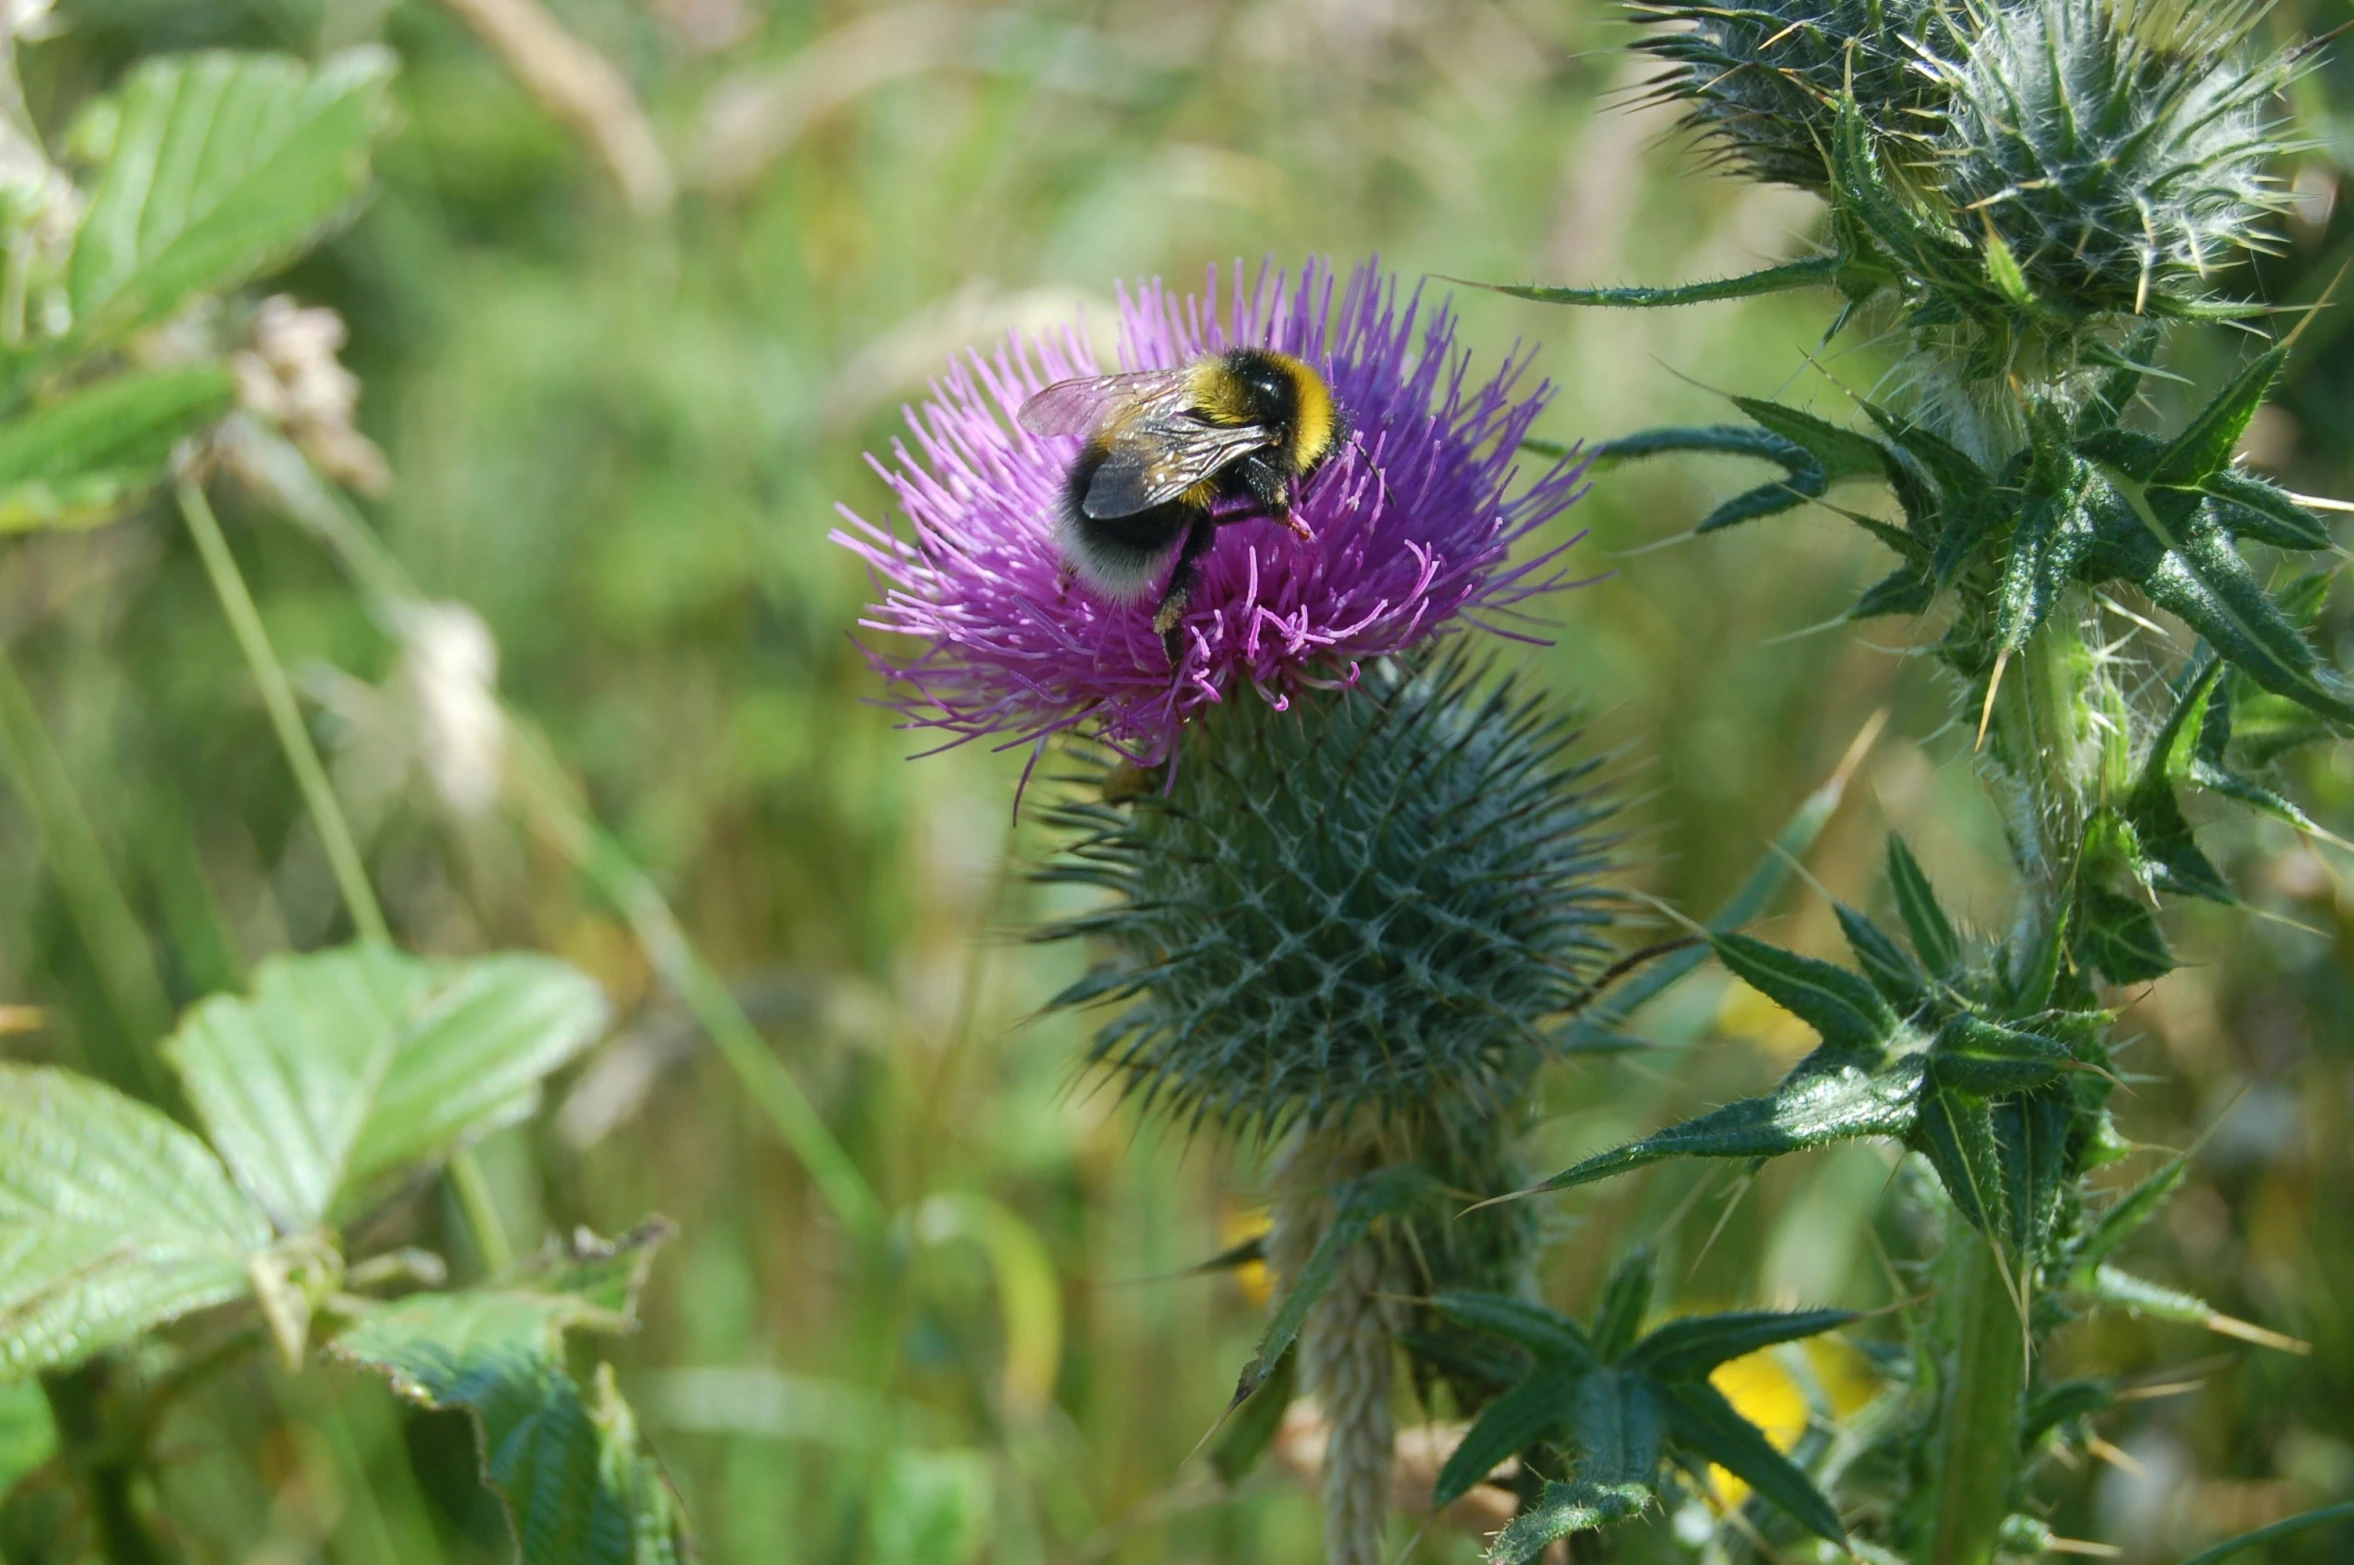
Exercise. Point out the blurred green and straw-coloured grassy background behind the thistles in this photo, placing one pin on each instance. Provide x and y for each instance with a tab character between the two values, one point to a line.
618	437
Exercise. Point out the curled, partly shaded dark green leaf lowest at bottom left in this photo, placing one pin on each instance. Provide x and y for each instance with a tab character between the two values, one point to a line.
573	1479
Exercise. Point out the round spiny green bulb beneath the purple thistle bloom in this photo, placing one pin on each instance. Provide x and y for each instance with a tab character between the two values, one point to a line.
1371	903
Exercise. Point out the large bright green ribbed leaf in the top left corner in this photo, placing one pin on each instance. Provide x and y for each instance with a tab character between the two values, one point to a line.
222	166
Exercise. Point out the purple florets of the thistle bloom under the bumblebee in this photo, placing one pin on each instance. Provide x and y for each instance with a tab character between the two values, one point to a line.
1411	526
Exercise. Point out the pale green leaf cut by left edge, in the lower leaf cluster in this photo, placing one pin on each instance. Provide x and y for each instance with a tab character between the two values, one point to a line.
112	1223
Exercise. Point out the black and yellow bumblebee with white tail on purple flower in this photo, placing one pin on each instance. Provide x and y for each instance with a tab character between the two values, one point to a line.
1164	448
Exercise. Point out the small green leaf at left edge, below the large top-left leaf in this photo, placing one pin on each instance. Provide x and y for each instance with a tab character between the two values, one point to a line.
79	460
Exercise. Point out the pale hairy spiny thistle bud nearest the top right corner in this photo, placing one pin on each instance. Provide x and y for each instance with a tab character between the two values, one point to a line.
2110	154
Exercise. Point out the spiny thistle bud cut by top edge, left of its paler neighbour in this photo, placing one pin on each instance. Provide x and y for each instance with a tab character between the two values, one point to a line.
1764	79
